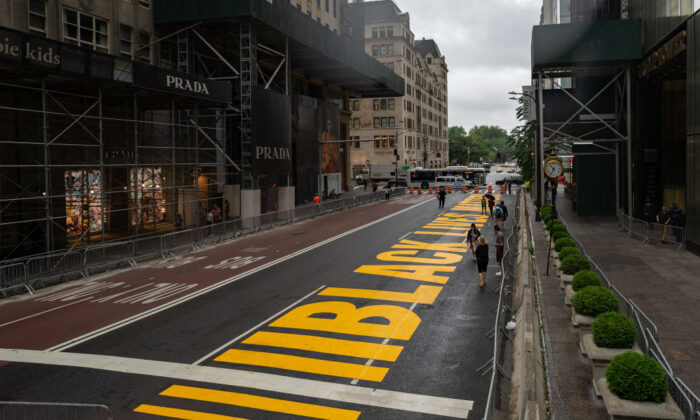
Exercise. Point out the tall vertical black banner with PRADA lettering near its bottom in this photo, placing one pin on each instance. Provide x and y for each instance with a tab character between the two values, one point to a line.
272	133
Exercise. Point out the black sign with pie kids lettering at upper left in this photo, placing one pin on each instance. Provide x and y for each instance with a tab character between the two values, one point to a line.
41	52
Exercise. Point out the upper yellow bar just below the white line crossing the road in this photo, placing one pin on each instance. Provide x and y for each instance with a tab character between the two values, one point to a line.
260	403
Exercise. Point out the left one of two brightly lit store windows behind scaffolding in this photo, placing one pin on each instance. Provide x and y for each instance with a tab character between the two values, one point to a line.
83	192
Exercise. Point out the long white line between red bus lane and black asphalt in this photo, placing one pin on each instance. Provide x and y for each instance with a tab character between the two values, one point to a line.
124	322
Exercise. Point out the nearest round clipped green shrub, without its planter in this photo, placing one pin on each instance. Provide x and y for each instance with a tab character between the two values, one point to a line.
637	377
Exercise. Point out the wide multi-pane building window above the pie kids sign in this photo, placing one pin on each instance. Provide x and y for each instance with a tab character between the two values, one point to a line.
85	30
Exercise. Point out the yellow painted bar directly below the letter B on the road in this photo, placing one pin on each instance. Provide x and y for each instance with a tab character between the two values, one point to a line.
326	345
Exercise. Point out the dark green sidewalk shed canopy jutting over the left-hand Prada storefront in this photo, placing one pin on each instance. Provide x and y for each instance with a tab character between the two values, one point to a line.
314	49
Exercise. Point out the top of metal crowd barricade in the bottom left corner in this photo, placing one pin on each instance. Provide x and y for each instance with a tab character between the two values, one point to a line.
17	410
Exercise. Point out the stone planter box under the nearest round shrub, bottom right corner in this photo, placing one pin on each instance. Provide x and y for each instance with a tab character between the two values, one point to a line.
625	409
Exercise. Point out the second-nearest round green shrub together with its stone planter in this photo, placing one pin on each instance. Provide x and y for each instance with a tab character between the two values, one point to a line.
613	334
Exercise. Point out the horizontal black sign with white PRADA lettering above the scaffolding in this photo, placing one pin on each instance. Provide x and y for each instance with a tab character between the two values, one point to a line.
170	81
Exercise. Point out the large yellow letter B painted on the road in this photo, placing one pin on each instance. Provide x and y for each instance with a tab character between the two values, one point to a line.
348	319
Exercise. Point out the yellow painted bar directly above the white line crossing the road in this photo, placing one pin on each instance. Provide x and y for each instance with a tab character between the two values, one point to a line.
303	364
